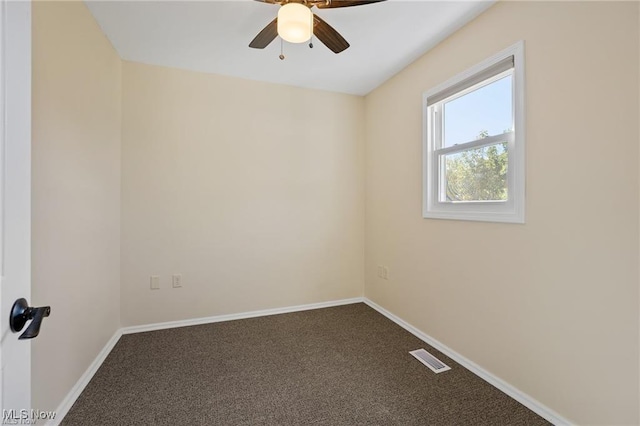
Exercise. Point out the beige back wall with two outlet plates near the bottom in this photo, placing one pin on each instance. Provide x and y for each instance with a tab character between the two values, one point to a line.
254	192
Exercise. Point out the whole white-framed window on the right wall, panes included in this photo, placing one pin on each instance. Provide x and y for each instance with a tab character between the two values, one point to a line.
474	142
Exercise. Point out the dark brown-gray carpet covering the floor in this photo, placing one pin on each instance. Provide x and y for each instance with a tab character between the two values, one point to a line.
346	365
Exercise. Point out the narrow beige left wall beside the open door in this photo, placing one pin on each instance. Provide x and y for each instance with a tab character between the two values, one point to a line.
75	195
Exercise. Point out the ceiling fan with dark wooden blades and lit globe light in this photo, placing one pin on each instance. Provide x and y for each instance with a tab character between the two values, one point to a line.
296	23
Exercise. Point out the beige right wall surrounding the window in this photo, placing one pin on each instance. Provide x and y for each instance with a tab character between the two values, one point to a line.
551	306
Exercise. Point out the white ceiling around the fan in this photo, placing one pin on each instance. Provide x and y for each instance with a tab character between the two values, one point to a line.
213	36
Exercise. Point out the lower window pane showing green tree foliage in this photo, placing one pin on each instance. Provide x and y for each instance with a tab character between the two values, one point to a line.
477	174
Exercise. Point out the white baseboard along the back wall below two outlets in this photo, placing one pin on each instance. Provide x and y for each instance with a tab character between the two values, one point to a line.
244	315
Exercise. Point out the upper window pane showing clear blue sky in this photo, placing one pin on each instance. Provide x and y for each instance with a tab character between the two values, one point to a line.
486	111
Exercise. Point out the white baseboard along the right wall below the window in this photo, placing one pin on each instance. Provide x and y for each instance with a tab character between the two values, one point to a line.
514	393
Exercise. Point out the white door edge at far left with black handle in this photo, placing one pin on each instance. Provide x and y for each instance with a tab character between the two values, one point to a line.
15	197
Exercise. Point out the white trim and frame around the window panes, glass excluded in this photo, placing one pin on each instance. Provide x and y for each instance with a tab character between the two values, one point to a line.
510	211
